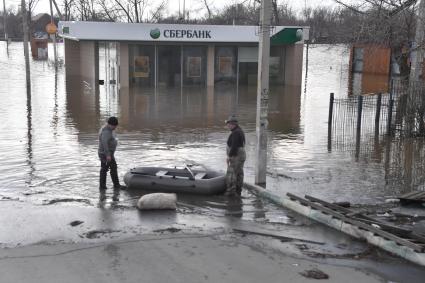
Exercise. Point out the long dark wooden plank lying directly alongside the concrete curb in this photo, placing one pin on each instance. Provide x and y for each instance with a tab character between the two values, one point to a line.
359	224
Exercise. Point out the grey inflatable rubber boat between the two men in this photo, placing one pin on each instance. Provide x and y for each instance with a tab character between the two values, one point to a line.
175	180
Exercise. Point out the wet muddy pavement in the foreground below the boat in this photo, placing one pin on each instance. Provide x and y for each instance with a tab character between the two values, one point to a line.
42	240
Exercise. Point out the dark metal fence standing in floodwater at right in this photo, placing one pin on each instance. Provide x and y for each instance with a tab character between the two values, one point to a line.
400	112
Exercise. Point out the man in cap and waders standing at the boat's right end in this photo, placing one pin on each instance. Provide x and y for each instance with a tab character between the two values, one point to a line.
235	158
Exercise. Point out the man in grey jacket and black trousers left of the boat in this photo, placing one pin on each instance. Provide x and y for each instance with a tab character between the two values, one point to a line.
107	146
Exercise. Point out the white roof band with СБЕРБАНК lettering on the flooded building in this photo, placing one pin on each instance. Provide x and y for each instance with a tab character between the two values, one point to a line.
109	31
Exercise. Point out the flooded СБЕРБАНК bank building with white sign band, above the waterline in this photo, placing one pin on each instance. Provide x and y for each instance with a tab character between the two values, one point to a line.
174	55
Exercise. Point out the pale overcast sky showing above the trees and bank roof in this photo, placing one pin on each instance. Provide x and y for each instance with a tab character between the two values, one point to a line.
173	5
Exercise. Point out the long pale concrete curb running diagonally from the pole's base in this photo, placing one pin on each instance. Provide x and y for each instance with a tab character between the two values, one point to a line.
337	224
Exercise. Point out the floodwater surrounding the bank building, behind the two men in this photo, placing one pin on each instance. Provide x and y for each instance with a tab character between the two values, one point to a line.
49	138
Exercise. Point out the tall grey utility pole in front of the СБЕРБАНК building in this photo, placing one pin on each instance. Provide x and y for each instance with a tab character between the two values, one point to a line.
263	92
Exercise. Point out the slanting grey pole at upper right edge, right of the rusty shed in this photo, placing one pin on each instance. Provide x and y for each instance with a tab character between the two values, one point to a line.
419	46
